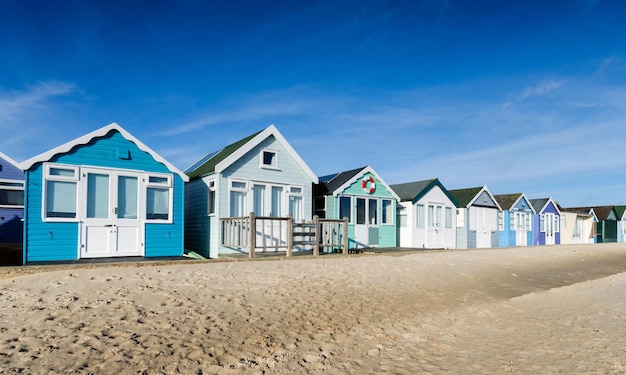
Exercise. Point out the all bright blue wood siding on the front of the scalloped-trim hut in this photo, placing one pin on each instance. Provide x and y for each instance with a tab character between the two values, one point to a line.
47	241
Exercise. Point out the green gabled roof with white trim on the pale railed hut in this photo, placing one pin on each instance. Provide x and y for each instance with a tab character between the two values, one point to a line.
219	160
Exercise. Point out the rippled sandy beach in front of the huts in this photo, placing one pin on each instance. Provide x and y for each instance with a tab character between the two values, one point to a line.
535	310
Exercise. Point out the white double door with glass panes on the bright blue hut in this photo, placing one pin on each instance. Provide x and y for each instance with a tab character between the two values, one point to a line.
112	222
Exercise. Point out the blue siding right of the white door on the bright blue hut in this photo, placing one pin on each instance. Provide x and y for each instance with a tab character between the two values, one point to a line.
166	239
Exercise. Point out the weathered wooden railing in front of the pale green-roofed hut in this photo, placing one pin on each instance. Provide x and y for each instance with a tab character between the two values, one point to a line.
263	232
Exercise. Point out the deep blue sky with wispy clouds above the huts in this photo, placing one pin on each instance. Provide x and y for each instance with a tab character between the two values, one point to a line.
521	96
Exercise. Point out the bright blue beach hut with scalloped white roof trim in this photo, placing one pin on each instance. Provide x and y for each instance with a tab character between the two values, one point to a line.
104	194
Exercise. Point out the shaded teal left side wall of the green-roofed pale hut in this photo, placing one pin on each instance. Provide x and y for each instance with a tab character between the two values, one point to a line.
197	225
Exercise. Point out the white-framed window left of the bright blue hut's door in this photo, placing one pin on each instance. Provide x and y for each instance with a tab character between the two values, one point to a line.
60	192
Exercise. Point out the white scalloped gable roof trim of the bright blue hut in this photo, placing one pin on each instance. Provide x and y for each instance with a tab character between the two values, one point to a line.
67	147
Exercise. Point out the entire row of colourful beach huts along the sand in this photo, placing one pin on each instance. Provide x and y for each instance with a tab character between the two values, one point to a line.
106	194
